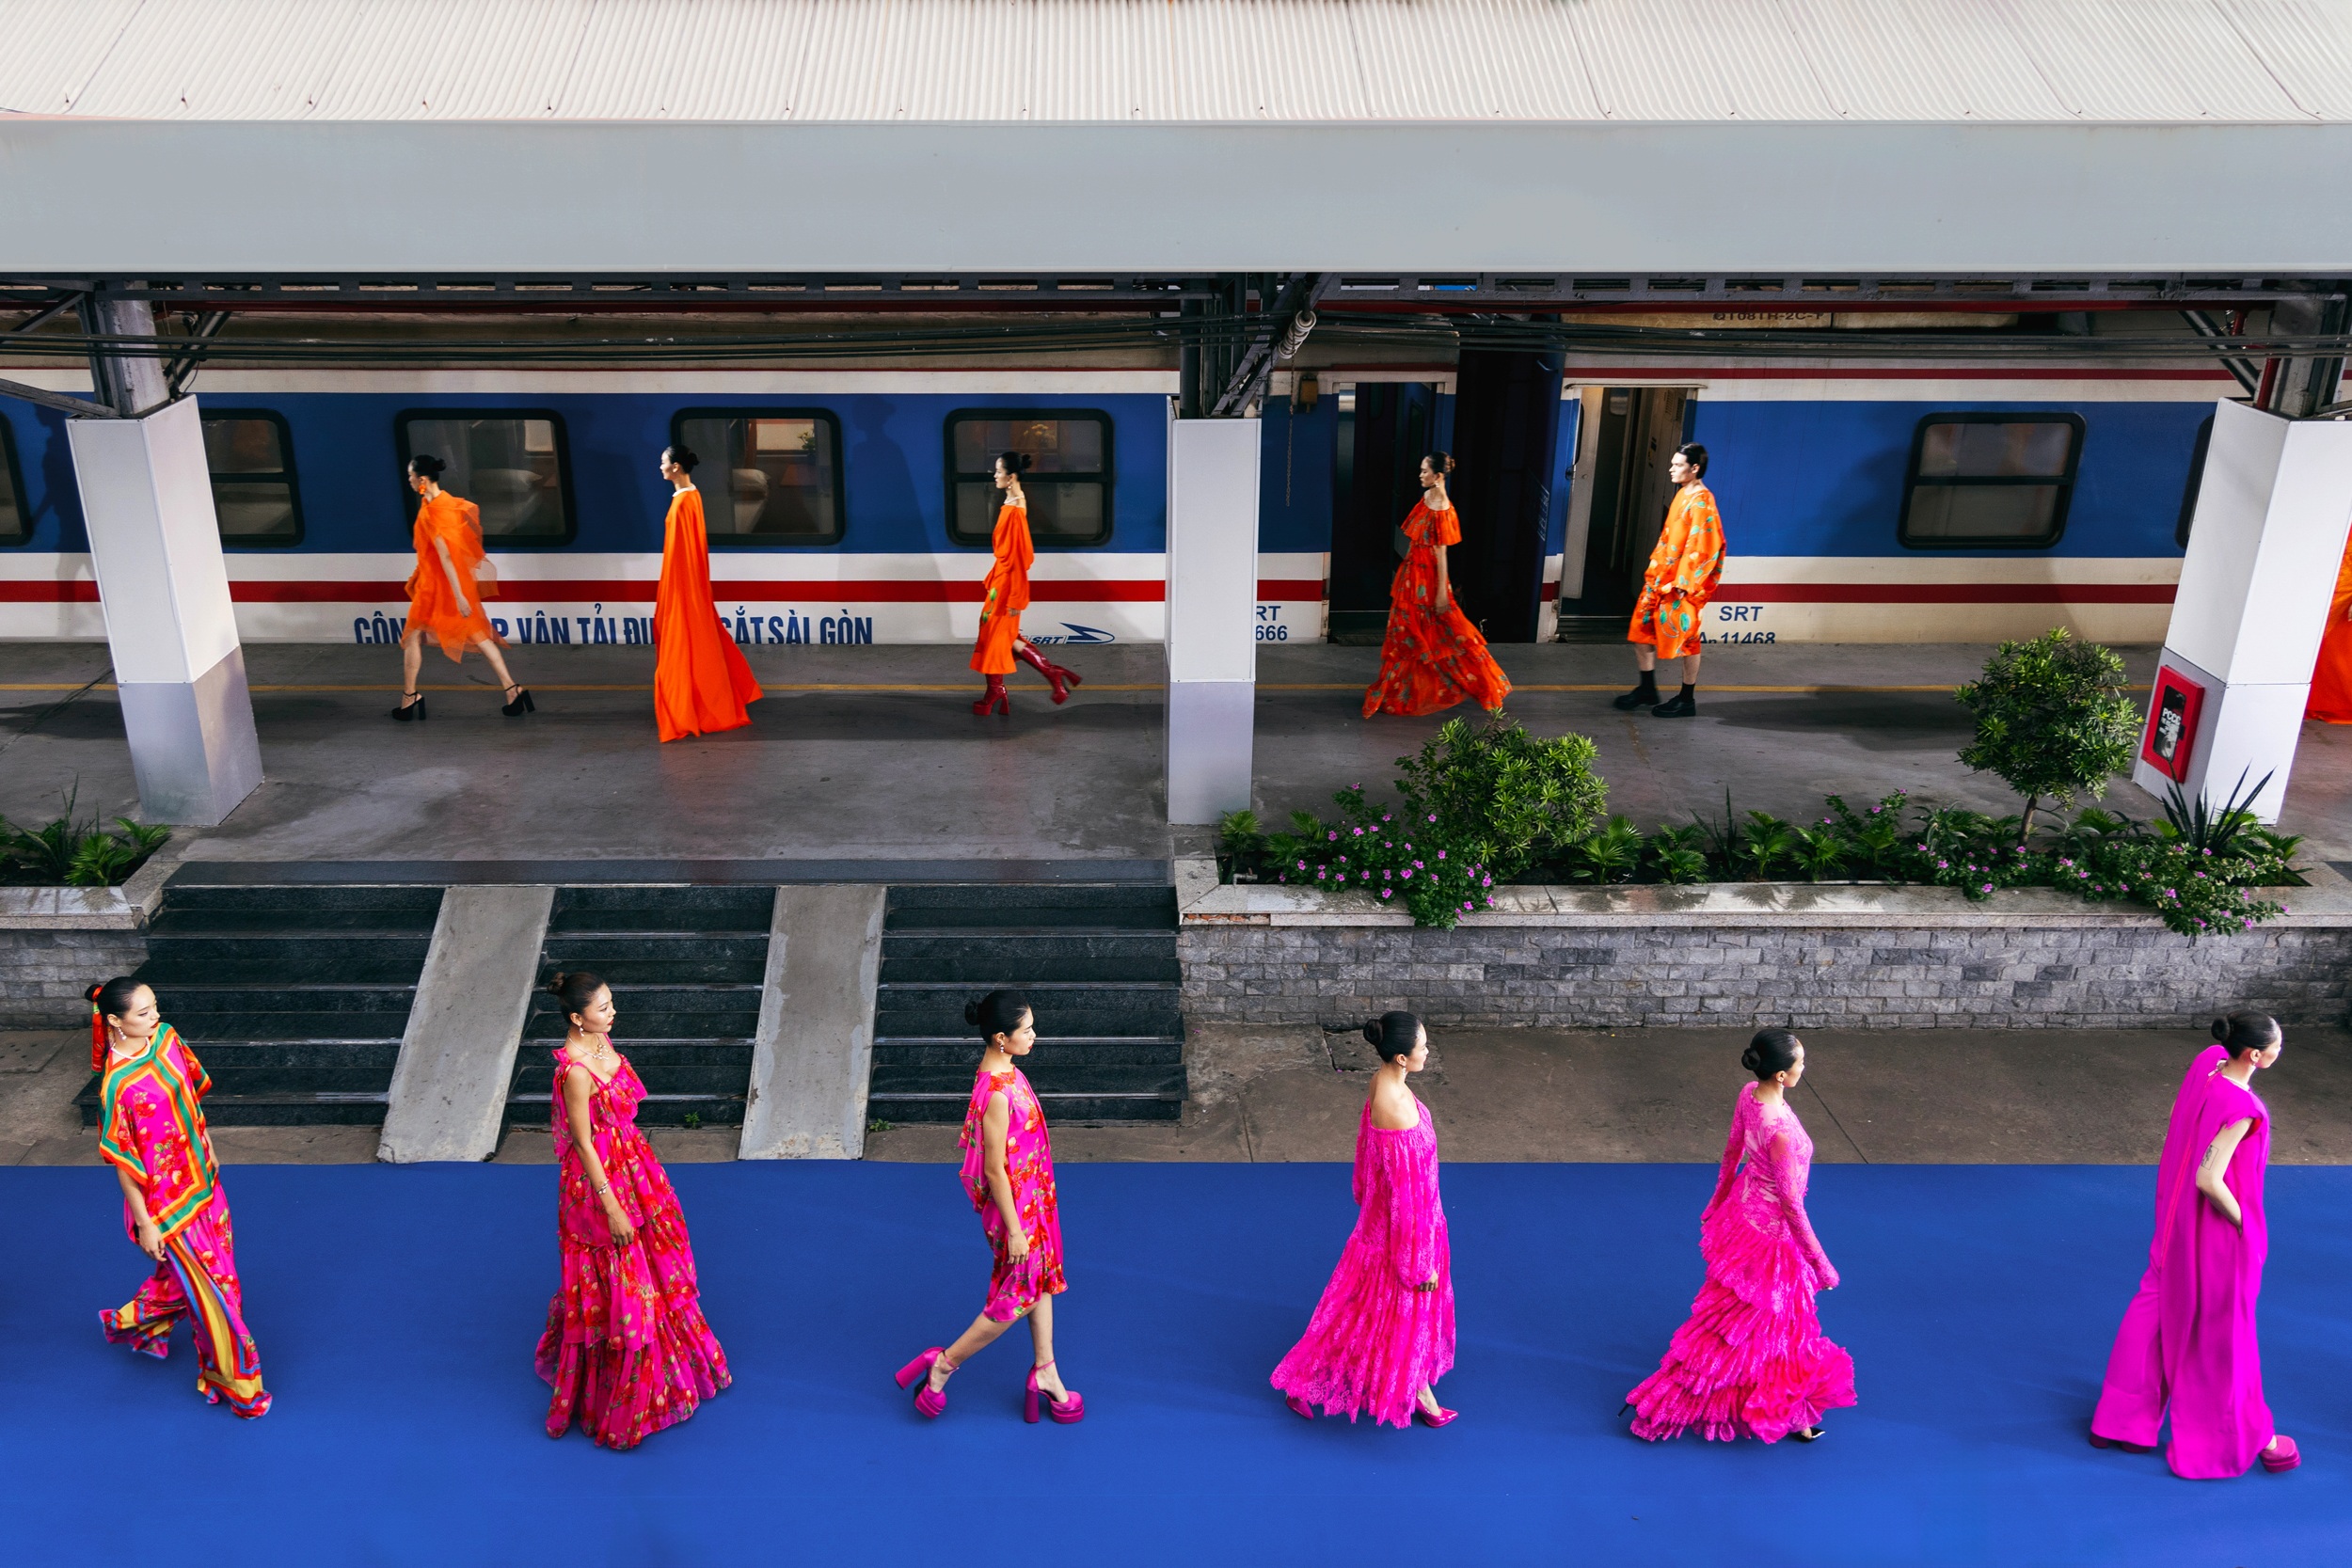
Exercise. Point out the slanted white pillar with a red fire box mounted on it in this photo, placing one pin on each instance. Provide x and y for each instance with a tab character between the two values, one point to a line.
2266	542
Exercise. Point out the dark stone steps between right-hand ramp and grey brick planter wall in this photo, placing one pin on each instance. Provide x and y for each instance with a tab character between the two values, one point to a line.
1097	965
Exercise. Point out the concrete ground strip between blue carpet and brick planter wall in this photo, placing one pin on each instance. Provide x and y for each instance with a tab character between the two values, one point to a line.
1902	1097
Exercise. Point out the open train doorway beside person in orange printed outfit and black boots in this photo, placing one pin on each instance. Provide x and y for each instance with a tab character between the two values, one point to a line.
1617	504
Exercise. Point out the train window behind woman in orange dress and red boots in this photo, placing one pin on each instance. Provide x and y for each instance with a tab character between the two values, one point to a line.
1069	485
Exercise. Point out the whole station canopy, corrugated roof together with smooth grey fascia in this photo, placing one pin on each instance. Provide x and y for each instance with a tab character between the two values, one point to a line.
888	138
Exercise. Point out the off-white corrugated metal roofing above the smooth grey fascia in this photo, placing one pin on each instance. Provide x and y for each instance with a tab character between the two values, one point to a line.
1182	60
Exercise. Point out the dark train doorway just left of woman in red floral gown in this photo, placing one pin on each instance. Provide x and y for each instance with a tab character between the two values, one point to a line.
1384	427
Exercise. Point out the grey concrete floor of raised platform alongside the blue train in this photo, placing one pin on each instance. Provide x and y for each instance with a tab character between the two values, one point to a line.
871	753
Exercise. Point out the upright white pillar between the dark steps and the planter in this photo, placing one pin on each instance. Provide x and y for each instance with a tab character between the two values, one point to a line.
1212	615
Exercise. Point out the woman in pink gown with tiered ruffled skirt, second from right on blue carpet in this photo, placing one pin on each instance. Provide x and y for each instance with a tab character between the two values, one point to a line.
1751	1360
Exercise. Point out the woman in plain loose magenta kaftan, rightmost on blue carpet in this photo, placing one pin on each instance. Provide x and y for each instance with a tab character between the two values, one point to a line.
2189	1343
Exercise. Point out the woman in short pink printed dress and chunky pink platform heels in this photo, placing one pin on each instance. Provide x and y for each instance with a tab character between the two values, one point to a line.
1010	1181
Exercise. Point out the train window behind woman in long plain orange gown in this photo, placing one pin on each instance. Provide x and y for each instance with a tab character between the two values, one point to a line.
768	476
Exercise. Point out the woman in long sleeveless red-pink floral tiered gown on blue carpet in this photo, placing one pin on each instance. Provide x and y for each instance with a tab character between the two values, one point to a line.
627	1346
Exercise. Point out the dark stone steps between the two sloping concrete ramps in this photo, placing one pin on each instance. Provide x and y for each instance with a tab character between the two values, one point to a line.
686	970
